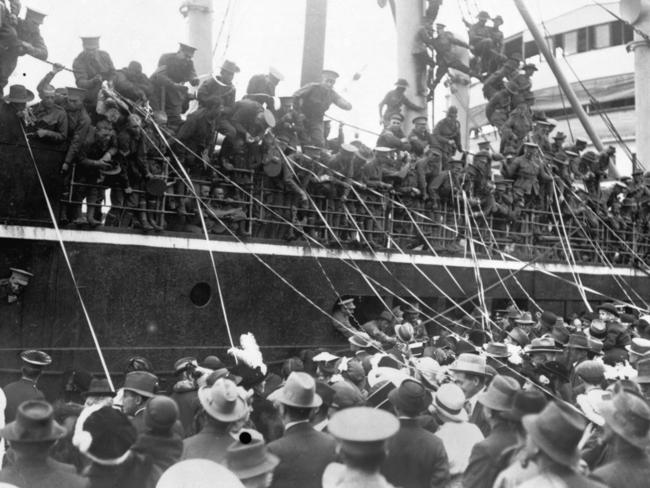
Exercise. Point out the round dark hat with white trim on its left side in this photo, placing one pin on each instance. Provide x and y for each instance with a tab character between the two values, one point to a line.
105	435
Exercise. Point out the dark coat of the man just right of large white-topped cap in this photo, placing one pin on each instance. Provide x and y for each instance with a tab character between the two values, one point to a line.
416	458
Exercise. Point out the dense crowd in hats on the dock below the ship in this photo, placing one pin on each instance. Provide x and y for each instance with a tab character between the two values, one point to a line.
527	401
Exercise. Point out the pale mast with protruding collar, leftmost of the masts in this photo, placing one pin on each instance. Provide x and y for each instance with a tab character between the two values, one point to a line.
198	23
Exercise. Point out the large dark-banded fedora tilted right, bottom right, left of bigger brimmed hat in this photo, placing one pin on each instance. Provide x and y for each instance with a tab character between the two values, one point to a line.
557	430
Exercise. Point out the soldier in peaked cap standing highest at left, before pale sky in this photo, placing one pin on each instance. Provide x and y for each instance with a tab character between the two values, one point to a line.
91	68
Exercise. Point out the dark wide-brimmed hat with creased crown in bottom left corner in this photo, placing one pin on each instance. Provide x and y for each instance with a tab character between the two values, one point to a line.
34	423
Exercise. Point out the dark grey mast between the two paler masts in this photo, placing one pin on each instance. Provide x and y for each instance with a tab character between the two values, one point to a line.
313	53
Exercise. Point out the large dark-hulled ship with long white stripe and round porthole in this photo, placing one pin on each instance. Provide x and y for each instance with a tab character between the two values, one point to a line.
164	295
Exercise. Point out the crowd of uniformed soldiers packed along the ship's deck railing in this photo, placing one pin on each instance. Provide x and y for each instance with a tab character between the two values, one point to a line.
133	134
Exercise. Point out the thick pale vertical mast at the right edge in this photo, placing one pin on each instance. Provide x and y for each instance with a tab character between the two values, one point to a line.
637	13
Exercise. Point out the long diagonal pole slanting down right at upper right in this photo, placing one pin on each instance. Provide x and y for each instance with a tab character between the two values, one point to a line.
562	81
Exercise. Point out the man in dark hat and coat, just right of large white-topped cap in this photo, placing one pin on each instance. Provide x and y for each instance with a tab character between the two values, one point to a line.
416	457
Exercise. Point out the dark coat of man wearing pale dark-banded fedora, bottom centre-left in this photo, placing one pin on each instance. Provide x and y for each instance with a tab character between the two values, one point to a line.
304	454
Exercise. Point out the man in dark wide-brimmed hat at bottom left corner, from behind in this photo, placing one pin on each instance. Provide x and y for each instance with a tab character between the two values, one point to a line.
32	434
